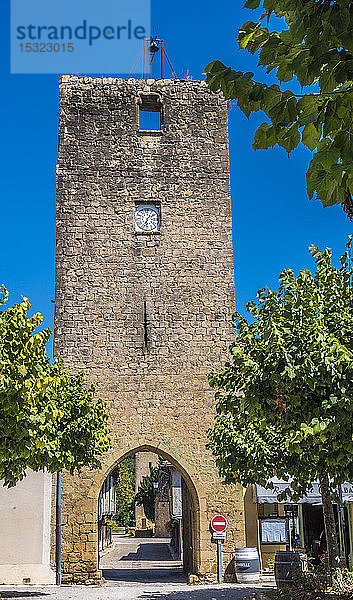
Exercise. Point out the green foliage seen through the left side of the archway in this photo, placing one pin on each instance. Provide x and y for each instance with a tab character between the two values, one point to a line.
125	494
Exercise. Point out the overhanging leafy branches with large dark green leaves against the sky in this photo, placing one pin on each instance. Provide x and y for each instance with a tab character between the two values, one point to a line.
315	49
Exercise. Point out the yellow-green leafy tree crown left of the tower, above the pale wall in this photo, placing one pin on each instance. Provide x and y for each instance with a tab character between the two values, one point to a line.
48	417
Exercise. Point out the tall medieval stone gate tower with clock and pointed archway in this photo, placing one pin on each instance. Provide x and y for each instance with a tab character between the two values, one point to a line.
145	290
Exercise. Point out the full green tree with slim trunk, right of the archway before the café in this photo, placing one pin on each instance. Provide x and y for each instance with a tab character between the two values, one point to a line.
285	401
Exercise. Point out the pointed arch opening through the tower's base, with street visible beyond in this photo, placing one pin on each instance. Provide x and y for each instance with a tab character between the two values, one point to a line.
147	521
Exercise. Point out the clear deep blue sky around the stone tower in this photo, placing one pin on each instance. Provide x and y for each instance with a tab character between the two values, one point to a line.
273	221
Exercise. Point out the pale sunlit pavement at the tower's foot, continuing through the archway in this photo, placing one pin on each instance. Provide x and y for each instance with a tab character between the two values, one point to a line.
137	569
